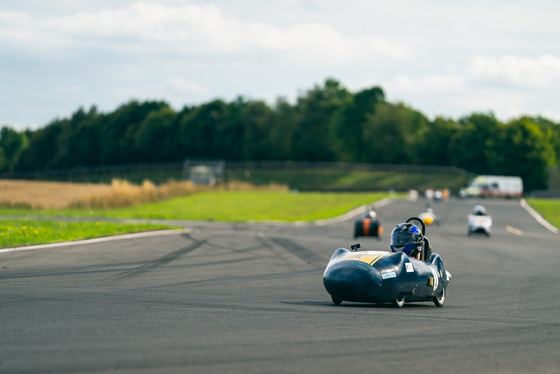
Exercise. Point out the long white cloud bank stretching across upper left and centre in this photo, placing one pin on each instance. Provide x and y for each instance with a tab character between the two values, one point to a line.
187	30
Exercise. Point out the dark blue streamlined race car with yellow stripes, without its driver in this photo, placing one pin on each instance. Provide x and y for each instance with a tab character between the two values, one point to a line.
380	277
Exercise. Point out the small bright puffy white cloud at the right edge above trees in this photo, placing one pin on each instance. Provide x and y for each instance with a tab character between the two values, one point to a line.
541	72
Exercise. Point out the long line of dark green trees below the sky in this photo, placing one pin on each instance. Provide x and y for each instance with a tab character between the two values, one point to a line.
326	123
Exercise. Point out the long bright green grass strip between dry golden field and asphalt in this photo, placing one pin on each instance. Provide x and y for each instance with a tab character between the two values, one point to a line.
229	206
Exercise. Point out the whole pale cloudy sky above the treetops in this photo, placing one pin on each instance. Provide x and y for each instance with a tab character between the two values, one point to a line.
448	58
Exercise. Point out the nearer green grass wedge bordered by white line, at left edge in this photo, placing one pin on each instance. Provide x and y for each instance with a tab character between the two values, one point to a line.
24	231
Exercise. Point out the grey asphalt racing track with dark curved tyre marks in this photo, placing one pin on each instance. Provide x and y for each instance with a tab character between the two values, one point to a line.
244	298
